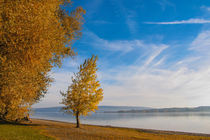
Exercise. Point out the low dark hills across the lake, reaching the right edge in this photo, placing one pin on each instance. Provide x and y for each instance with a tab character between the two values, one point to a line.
186	109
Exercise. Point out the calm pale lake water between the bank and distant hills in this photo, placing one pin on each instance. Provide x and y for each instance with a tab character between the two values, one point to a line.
197	122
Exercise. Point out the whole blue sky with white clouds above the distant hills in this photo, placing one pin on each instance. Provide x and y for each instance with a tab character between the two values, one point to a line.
152	53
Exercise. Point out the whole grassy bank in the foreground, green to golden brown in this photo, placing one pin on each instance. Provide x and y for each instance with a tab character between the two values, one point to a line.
45	130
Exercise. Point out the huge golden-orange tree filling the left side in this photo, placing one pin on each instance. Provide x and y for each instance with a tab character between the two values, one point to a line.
35	35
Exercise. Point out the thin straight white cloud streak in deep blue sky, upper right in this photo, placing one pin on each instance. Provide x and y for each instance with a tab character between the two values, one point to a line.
189	21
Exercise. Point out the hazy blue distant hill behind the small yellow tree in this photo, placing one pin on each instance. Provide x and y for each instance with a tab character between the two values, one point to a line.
101	109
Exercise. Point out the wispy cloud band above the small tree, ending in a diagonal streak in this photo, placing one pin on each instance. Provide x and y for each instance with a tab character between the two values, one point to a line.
125	46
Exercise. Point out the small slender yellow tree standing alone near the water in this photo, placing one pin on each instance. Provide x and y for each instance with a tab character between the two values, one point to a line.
84	94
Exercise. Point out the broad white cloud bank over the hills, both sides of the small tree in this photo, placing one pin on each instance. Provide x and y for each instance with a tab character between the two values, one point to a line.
186	82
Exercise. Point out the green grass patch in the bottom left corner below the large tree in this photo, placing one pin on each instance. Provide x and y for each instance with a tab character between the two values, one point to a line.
20	132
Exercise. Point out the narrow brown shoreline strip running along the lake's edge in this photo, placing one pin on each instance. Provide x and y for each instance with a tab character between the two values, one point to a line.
152	131
